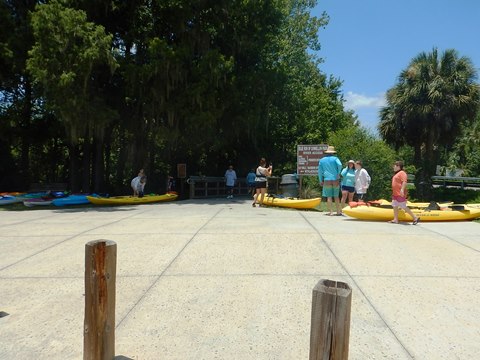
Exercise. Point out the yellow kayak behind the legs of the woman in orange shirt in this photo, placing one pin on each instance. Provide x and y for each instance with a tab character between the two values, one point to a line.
449	213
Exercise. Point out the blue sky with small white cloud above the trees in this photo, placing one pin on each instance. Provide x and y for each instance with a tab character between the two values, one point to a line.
367	43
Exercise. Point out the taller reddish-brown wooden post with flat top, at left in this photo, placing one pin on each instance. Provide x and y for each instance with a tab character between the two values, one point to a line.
99	322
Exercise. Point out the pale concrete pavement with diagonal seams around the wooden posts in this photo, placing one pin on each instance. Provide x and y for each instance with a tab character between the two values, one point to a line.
217	279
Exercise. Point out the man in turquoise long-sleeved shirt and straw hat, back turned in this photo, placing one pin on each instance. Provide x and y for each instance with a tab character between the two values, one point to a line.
329	169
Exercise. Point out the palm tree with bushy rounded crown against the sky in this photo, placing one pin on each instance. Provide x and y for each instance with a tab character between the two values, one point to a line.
434	96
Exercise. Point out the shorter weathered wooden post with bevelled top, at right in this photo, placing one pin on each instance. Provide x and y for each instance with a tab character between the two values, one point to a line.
330	327
